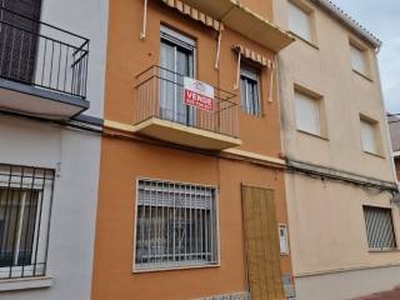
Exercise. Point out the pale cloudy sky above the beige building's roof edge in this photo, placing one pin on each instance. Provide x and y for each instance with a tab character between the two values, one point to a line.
382	18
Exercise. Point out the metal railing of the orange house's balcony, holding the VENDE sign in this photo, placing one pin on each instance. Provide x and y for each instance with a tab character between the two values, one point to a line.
160	94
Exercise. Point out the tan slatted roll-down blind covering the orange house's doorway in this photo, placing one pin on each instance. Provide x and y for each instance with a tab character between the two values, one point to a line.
262	244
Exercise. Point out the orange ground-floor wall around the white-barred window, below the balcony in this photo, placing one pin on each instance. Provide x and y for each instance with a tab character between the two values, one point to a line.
122	163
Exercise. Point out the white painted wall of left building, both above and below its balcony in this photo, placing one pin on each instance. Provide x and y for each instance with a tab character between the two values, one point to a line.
24	142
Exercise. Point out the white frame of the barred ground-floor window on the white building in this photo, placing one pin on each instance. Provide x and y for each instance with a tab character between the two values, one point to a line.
46	206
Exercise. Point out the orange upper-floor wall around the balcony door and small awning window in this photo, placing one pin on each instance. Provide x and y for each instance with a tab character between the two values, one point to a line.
128	56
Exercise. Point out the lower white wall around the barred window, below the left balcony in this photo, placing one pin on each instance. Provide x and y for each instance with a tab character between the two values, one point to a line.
72	229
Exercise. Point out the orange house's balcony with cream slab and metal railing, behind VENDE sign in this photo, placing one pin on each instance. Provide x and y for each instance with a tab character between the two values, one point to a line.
161	113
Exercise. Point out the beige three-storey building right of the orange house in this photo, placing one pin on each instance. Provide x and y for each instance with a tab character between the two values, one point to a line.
344	227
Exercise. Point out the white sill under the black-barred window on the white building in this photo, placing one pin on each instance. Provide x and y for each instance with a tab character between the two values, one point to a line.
15	284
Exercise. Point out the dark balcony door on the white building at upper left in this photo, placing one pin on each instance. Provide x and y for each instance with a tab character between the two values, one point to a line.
19	38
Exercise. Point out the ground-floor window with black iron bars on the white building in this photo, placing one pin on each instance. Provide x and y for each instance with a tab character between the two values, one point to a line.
25	205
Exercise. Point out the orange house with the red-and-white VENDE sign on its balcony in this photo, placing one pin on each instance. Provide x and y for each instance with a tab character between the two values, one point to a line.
192	199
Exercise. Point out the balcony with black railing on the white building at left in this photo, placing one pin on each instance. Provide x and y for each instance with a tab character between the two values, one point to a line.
43	69
